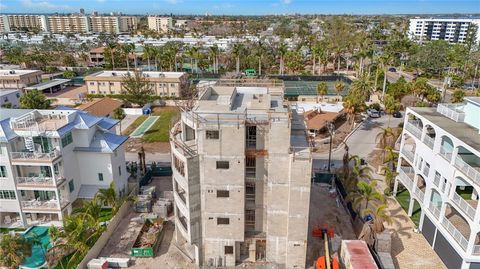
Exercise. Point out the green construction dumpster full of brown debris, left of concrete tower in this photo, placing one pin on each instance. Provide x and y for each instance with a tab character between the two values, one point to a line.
148	239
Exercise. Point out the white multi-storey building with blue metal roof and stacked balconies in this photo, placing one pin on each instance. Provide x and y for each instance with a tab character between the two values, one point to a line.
50	158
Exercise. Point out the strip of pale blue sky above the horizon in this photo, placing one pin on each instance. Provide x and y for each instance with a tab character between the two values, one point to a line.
243	7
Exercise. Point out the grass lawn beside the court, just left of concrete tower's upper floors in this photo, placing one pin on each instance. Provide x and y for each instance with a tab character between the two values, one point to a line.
159	132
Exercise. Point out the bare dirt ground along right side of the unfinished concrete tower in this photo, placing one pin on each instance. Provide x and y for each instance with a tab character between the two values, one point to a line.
324	212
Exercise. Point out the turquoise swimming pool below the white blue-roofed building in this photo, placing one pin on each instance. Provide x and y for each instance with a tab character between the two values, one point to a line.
37	259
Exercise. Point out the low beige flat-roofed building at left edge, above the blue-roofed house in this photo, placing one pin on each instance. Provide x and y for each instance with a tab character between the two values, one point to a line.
19	79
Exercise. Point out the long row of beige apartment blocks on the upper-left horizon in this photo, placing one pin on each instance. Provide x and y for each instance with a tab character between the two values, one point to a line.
69	24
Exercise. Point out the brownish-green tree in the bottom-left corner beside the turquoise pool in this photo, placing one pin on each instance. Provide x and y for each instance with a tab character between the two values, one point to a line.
13	249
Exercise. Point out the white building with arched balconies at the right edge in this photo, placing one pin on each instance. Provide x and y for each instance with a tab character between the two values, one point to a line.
439	165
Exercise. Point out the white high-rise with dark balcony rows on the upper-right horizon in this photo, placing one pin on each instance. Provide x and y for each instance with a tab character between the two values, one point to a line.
451	30
